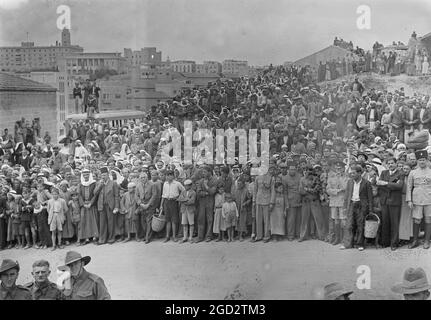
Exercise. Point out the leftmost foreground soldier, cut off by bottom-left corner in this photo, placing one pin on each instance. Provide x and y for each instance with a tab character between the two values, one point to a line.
9	290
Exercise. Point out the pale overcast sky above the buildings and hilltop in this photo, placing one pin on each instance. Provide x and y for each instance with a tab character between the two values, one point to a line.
260	31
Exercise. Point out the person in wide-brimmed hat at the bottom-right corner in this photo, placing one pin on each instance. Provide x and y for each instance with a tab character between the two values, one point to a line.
415	285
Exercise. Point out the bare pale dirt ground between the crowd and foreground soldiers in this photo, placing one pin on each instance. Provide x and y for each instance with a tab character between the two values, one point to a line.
238	270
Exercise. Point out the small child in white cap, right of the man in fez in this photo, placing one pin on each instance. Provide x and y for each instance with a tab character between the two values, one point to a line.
129	206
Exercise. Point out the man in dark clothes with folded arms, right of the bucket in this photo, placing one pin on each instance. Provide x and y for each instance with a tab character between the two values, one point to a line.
390	191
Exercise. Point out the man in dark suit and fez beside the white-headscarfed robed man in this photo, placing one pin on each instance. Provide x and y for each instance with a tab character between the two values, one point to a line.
107	205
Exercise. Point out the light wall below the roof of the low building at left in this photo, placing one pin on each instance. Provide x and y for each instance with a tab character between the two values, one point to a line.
29	105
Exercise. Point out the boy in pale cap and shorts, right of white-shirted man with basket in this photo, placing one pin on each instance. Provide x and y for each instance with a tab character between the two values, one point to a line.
187	200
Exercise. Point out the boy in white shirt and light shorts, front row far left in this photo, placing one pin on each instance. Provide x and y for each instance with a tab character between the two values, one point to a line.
56	208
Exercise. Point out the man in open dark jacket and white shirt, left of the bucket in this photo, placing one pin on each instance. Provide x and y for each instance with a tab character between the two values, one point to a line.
358	203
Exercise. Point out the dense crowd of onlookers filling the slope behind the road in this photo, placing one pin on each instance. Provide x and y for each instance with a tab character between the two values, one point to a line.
341	155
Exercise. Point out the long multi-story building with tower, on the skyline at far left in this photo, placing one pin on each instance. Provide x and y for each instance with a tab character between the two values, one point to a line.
29	57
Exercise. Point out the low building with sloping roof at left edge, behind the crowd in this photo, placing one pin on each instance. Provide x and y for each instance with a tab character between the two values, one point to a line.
23	98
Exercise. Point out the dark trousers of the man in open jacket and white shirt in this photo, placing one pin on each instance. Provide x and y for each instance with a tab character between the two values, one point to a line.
354	229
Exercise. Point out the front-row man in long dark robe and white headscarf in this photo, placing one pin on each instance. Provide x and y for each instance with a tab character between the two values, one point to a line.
87	198
